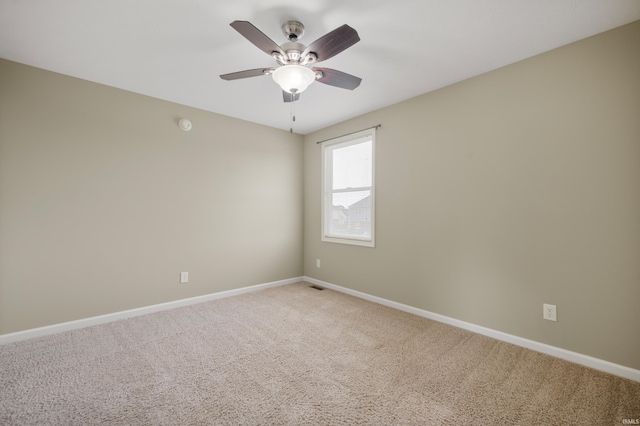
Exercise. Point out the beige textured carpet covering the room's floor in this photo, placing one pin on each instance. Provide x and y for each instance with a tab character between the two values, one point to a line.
294	355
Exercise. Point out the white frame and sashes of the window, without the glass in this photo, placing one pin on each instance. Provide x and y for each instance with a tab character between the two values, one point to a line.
327	187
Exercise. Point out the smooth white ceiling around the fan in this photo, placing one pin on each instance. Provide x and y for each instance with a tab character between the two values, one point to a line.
176	49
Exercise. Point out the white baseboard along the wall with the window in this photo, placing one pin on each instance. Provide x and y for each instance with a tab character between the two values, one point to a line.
587	361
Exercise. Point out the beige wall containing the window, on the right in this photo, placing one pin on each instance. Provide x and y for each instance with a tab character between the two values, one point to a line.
506	191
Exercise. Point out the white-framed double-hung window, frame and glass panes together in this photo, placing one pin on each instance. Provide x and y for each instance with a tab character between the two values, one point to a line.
347	188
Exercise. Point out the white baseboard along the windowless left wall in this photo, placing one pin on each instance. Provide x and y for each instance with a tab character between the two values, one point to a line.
86	322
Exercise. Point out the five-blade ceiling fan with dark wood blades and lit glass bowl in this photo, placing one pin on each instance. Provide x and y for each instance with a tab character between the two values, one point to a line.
294	74
